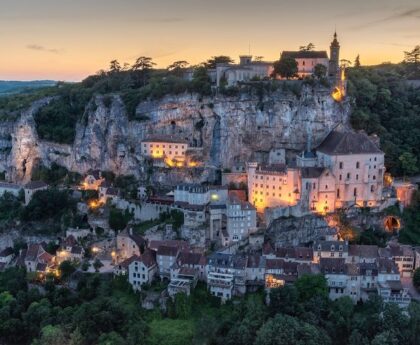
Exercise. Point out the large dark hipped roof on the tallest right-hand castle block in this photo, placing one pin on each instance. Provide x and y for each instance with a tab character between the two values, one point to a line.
349	142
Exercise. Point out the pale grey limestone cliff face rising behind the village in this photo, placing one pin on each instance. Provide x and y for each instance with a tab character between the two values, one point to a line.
223	131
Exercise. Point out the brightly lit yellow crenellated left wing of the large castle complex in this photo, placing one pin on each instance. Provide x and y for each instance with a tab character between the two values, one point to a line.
273	185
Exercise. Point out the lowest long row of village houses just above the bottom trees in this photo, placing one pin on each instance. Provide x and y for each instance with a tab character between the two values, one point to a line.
356	271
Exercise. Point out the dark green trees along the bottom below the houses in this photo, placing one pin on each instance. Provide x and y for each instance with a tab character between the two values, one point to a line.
103	311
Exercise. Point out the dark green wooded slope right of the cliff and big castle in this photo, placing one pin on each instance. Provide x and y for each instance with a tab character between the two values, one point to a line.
386	103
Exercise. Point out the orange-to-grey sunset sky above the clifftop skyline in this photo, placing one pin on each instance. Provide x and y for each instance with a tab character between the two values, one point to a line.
71	39
